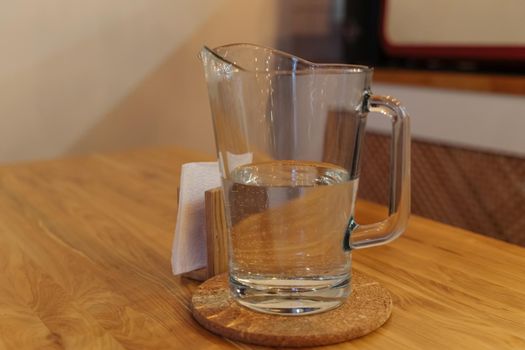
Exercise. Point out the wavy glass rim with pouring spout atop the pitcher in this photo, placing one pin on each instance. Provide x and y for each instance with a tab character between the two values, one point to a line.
314	67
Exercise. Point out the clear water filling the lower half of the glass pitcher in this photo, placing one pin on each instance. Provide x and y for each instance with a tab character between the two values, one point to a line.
288	221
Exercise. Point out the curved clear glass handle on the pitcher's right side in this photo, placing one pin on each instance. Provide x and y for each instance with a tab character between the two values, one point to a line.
363	236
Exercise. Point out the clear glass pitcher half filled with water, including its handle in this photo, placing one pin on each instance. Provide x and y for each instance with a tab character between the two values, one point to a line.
288	134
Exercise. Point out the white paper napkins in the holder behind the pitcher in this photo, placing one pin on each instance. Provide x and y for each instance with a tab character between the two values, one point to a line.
189	245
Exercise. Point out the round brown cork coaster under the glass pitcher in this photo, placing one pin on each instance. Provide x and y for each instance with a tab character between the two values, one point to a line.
368	308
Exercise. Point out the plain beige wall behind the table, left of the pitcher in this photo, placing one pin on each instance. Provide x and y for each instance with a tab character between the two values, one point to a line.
79	77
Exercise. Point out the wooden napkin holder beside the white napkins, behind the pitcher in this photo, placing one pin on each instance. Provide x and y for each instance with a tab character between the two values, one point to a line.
216	237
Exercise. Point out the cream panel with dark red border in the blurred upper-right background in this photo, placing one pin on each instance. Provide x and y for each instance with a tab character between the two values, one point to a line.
451	29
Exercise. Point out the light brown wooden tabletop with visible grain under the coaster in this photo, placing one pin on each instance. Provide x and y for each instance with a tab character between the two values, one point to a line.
85	264
